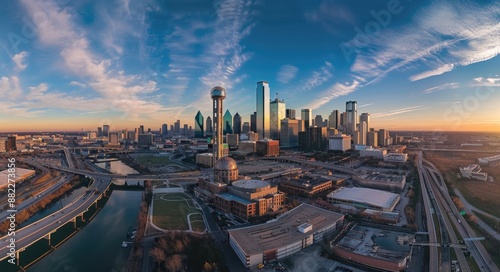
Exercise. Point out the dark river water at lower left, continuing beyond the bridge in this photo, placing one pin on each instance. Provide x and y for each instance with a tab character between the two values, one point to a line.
97	246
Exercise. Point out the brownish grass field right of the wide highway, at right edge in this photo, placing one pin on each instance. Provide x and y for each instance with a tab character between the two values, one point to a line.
483	195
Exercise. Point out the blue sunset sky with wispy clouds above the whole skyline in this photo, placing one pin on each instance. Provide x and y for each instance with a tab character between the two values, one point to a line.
413	65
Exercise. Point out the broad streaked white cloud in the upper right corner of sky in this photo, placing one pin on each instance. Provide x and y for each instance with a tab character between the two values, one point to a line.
441	37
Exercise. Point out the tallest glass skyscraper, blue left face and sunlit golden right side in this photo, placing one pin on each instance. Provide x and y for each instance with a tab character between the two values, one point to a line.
263	110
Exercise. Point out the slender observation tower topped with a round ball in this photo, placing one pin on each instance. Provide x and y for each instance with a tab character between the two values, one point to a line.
218	94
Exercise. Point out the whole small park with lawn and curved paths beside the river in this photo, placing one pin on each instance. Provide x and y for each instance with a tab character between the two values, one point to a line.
176	211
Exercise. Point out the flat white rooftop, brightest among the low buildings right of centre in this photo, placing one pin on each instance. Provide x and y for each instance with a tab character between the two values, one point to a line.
373	197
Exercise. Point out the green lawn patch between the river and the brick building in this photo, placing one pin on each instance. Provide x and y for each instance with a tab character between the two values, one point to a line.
172	215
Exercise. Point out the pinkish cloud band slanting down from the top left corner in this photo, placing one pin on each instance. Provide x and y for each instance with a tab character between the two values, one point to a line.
120	91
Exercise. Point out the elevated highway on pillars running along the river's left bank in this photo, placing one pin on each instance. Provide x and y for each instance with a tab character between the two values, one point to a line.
41	228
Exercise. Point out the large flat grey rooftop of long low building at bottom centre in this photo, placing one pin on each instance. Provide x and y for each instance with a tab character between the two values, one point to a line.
284	230
